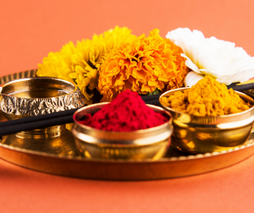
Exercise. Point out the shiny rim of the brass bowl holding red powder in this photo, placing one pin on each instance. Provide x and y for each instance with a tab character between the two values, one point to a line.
141	131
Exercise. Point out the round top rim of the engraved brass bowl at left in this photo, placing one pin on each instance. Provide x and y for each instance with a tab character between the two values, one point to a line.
39	78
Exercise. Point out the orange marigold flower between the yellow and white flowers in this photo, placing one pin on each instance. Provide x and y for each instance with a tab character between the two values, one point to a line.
142	64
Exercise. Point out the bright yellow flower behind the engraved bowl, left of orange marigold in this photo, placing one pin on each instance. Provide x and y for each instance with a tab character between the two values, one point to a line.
80	64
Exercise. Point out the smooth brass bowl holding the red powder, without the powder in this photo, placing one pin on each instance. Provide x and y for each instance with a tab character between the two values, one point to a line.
149	143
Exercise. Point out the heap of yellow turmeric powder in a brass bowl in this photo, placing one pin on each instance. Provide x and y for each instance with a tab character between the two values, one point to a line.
206	98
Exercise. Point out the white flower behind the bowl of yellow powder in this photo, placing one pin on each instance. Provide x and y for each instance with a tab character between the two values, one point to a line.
214	57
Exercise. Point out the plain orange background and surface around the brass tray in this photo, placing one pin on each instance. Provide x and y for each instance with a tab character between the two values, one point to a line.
31	29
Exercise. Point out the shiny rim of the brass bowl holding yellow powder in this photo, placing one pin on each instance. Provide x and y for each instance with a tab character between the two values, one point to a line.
200	118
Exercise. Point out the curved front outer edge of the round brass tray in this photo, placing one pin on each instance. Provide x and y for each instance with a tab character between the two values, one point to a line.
132	170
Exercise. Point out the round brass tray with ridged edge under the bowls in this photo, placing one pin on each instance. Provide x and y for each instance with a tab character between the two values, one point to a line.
59	156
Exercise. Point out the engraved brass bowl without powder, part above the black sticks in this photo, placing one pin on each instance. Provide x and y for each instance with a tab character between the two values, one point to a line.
38	95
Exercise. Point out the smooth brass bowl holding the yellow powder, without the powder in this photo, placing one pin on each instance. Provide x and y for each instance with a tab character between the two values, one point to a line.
196	134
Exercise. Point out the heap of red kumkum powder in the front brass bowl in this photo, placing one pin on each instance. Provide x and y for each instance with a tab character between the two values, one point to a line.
127	112
